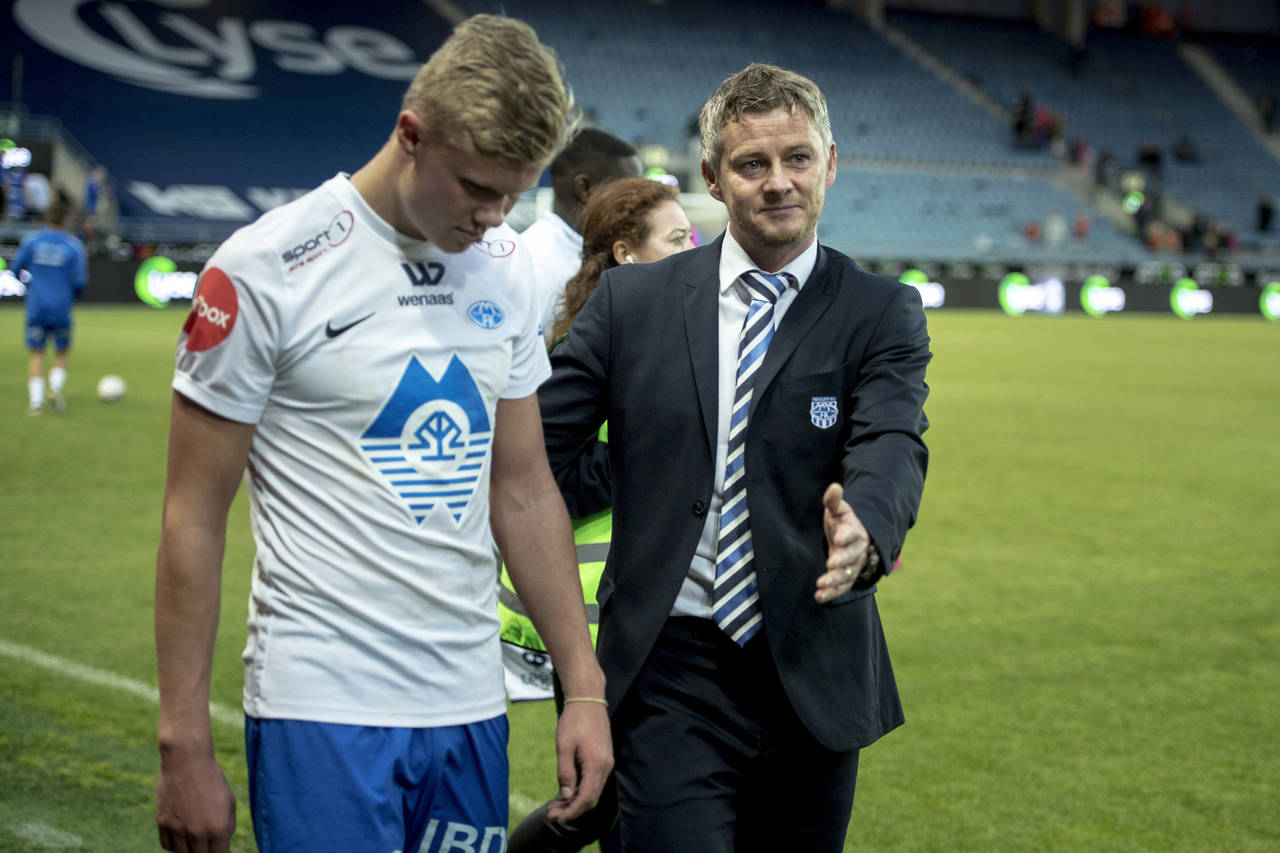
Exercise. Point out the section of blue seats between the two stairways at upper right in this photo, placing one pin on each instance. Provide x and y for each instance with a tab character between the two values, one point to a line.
1130	90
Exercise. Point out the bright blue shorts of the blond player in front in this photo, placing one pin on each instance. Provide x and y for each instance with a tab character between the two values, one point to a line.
367	790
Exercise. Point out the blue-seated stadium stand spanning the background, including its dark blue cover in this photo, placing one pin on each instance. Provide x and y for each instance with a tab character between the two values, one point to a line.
921	112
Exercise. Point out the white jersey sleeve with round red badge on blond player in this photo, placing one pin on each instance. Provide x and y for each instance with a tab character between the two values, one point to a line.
227	352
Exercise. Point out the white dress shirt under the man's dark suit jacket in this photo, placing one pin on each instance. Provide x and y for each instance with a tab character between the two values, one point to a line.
696	595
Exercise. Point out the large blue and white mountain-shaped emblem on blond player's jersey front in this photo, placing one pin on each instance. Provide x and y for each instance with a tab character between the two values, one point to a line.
431	440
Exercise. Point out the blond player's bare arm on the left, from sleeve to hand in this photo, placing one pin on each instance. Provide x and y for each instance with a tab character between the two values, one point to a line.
195	806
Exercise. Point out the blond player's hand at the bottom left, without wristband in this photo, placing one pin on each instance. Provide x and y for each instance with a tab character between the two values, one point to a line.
195	806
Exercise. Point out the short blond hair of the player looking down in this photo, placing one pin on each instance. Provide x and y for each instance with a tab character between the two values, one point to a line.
495	80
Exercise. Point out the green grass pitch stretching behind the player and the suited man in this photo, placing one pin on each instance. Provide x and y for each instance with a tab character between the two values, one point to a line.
1086	630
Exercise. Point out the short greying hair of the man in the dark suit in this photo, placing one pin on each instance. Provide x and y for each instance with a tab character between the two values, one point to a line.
761	89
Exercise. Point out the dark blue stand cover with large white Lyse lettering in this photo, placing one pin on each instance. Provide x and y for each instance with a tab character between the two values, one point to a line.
216	110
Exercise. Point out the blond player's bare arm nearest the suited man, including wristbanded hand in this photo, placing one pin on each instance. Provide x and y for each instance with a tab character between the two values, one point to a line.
533	532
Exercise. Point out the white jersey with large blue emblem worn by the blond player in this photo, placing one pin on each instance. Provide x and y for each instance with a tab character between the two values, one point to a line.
372	366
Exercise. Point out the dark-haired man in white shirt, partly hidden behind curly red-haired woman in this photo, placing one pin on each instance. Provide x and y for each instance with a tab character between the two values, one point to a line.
591	161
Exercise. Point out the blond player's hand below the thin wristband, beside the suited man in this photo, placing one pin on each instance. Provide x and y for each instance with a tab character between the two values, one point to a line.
584	759
